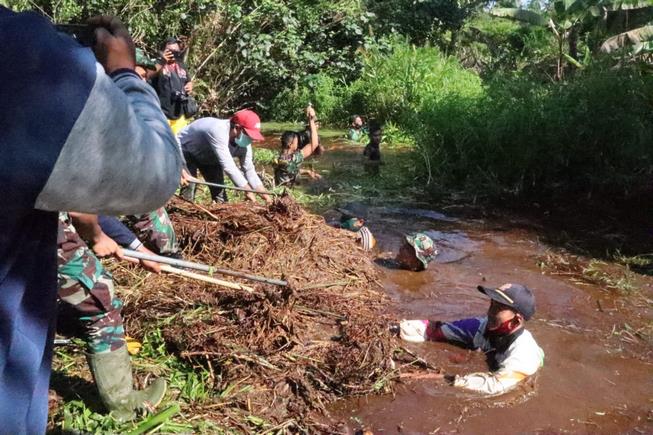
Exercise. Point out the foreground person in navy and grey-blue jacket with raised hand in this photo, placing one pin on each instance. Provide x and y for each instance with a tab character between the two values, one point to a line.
77	135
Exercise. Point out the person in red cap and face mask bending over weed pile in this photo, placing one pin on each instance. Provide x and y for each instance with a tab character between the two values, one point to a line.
209	146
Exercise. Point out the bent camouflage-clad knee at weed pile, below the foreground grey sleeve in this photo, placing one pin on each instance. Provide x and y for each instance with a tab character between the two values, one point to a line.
156	232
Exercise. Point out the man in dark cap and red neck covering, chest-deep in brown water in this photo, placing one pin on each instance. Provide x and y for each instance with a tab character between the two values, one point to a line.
511	350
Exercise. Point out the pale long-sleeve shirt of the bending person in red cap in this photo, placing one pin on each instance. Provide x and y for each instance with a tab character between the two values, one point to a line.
207	140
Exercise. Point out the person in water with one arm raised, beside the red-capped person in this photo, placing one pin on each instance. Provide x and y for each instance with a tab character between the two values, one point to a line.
288	164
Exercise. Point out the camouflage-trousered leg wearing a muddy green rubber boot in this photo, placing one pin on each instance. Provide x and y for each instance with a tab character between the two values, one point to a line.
86	292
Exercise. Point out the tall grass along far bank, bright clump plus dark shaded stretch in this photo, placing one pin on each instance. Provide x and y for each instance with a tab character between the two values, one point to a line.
512	134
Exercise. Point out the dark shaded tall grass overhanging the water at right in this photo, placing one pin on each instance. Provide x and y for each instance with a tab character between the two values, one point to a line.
592	132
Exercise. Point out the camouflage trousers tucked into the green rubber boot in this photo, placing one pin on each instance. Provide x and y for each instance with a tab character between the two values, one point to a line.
86	292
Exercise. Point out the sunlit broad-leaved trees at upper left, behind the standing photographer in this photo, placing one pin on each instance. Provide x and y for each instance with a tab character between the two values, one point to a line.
242	52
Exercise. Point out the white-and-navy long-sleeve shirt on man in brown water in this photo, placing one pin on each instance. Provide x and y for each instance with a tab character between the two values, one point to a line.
521	359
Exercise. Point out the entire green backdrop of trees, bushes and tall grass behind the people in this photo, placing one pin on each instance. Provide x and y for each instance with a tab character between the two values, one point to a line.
521	105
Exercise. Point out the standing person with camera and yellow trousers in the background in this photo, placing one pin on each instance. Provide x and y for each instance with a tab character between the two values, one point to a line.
173	86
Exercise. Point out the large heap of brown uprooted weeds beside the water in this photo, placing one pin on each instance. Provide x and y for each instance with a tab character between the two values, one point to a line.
296	348
